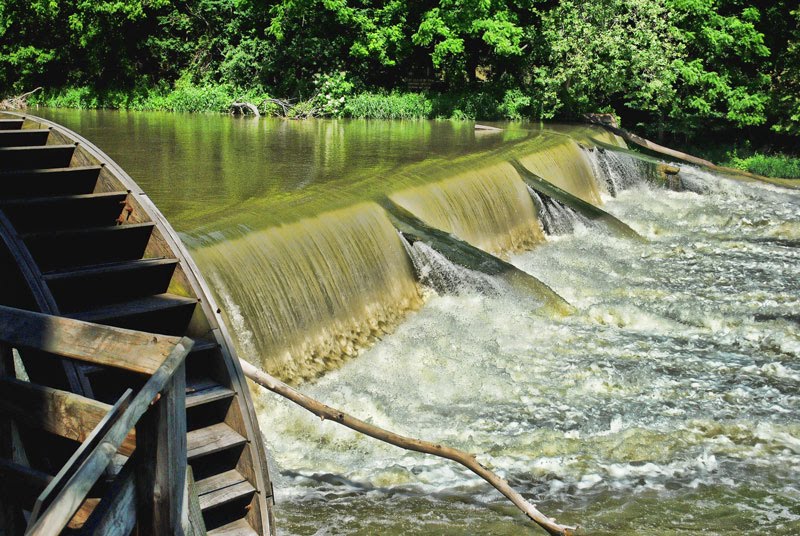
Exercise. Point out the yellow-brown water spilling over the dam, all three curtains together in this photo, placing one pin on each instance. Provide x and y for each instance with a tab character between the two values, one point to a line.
308	294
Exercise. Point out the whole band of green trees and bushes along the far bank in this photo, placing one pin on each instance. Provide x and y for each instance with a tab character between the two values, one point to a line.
684	67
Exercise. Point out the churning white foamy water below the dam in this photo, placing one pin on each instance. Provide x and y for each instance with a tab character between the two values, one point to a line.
668	404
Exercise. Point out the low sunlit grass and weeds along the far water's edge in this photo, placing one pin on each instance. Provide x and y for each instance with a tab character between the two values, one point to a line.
337	99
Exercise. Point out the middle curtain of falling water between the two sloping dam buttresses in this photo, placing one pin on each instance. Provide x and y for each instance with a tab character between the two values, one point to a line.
489	207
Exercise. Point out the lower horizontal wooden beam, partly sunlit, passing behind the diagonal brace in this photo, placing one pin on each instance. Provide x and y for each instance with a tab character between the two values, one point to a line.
55	411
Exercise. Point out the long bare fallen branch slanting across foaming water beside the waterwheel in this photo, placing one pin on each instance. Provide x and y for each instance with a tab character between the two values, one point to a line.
467	460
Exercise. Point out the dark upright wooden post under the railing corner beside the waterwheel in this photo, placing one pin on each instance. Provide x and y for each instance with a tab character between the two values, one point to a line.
161	455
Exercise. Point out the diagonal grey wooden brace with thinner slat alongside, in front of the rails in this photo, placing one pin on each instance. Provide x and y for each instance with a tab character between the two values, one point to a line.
65	494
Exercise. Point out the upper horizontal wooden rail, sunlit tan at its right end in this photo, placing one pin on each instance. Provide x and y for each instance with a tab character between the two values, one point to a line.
100	345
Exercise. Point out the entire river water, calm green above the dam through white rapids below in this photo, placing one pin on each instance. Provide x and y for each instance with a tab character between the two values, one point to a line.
668	403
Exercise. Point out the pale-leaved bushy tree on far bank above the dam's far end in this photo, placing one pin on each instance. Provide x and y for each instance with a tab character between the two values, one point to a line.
599	53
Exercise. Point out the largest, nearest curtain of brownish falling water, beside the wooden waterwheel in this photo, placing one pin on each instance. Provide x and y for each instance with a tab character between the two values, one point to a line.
303	297
